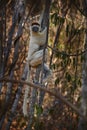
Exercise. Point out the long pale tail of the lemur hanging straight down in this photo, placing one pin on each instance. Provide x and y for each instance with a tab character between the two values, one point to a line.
25	112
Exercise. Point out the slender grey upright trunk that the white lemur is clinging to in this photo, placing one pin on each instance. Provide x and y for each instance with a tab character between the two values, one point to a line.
45	22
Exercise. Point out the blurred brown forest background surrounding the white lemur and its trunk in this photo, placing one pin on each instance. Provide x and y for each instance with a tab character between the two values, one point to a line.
65	100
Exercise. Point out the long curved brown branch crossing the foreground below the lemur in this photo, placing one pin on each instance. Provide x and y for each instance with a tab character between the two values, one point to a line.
58	95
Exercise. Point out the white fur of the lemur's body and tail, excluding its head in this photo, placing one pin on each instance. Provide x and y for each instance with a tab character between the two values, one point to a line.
35	57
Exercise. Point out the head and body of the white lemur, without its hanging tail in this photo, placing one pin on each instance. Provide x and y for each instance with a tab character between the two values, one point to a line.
37	39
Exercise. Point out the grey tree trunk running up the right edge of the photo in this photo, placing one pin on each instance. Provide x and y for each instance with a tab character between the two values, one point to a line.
82	123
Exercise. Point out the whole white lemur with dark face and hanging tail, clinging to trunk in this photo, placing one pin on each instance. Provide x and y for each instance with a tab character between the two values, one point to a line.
35	55
